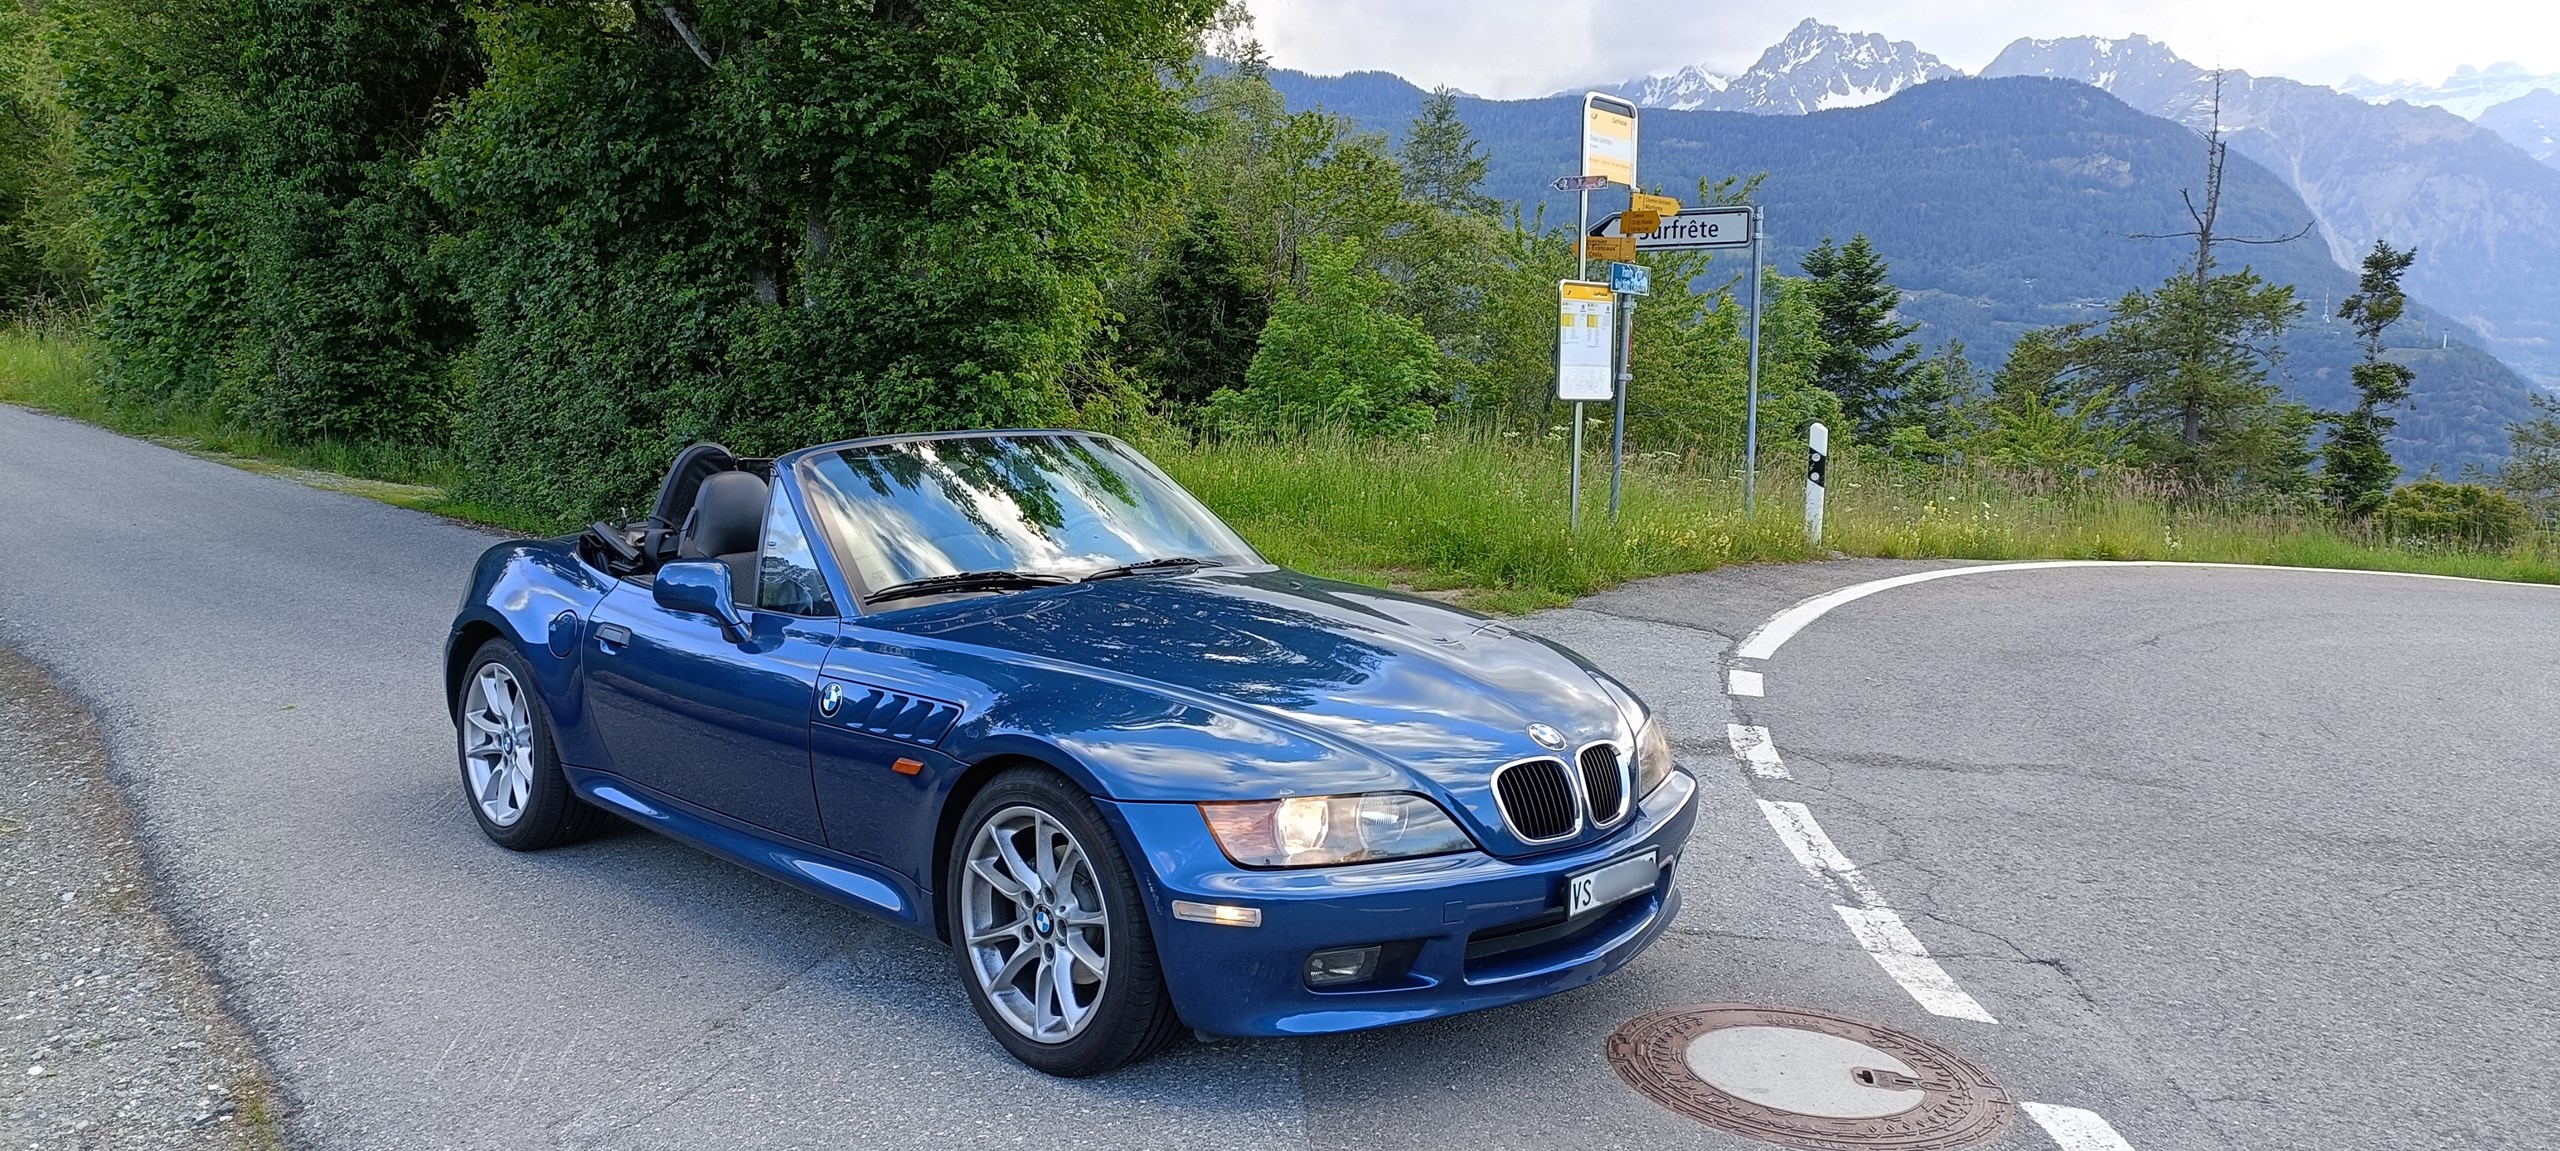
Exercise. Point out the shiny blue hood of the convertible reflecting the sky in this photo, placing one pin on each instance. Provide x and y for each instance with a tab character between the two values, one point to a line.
1394	692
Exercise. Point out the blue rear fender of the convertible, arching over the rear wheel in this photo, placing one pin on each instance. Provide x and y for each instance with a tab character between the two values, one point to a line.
536	597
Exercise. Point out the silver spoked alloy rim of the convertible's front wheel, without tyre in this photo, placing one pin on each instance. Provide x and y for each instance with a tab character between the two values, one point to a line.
1036	927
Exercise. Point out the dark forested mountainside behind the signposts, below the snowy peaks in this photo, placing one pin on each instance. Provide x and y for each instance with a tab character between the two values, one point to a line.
2003	206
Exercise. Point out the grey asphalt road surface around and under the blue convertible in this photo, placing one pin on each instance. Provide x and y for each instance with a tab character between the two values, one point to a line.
2236	861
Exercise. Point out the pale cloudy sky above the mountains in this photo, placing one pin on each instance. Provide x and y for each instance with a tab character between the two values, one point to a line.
1535	47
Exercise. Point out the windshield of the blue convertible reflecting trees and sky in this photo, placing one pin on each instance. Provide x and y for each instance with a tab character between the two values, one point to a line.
1053	505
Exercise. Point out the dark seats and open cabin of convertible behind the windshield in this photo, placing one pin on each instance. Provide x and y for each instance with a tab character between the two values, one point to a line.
710	508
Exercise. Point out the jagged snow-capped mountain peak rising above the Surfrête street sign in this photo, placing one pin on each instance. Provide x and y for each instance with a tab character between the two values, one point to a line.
1811	70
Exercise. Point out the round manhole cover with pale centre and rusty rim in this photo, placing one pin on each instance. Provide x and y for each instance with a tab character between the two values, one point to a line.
1809	1081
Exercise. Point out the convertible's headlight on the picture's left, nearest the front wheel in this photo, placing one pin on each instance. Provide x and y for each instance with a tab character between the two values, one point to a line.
1332	830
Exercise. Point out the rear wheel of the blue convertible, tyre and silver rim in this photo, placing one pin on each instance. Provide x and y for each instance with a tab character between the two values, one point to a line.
511	763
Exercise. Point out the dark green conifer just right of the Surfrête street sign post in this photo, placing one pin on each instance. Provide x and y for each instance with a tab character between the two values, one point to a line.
1860	331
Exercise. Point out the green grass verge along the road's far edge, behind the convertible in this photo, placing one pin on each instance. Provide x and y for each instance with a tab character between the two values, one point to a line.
1473	515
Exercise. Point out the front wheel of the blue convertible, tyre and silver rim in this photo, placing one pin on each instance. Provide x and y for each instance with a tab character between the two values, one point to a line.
1051	932
